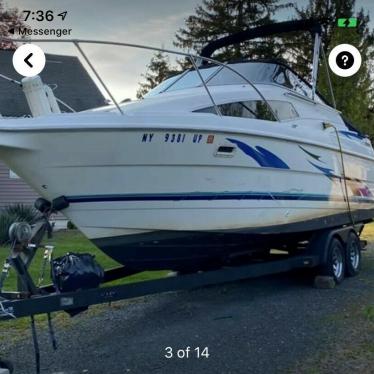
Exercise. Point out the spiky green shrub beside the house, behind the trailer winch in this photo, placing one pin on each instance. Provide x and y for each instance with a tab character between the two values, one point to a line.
15	213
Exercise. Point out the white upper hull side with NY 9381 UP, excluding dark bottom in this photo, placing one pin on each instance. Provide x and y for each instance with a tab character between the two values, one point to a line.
188	186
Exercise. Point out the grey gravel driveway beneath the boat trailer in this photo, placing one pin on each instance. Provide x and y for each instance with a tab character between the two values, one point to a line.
266	325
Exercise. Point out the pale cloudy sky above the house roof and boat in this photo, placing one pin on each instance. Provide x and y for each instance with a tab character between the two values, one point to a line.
149	22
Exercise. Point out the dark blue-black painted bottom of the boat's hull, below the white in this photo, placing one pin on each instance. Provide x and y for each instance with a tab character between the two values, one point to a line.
192	251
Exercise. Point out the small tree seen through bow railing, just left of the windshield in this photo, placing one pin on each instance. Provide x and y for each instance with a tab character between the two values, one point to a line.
158	70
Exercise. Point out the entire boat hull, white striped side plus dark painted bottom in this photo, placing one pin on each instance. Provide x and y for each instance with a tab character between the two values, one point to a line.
162	198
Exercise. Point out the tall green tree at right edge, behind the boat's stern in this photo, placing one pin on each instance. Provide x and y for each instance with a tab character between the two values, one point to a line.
354	95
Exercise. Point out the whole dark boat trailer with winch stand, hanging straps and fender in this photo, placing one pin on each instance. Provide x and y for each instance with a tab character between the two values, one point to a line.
31	299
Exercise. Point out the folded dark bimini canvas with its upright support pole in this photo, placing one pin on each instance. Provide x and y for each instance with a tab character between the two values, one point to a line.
310	25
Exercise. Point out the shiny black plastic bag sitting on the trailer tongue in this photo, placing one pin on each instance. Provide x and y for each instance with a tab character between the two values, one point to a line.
76	271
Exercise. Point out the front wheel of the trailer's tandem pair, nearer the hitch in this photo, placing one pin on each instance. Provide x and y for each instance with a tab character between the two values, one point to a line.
335	263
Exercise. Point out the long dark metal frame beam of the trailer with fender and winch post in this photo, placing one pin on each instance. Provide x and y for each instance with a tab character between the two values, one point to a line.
31	300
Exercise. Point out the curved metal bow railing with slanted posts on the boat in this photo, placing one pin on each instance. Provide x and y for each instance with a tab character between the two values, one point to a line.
195	60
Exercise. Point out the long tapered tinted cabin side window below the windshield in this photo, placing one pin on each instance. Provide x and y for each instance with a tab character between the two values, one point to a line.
257	109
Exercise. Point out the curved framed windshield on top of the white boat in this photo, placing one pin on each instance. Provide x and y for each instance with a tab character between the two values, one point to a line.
255	72
